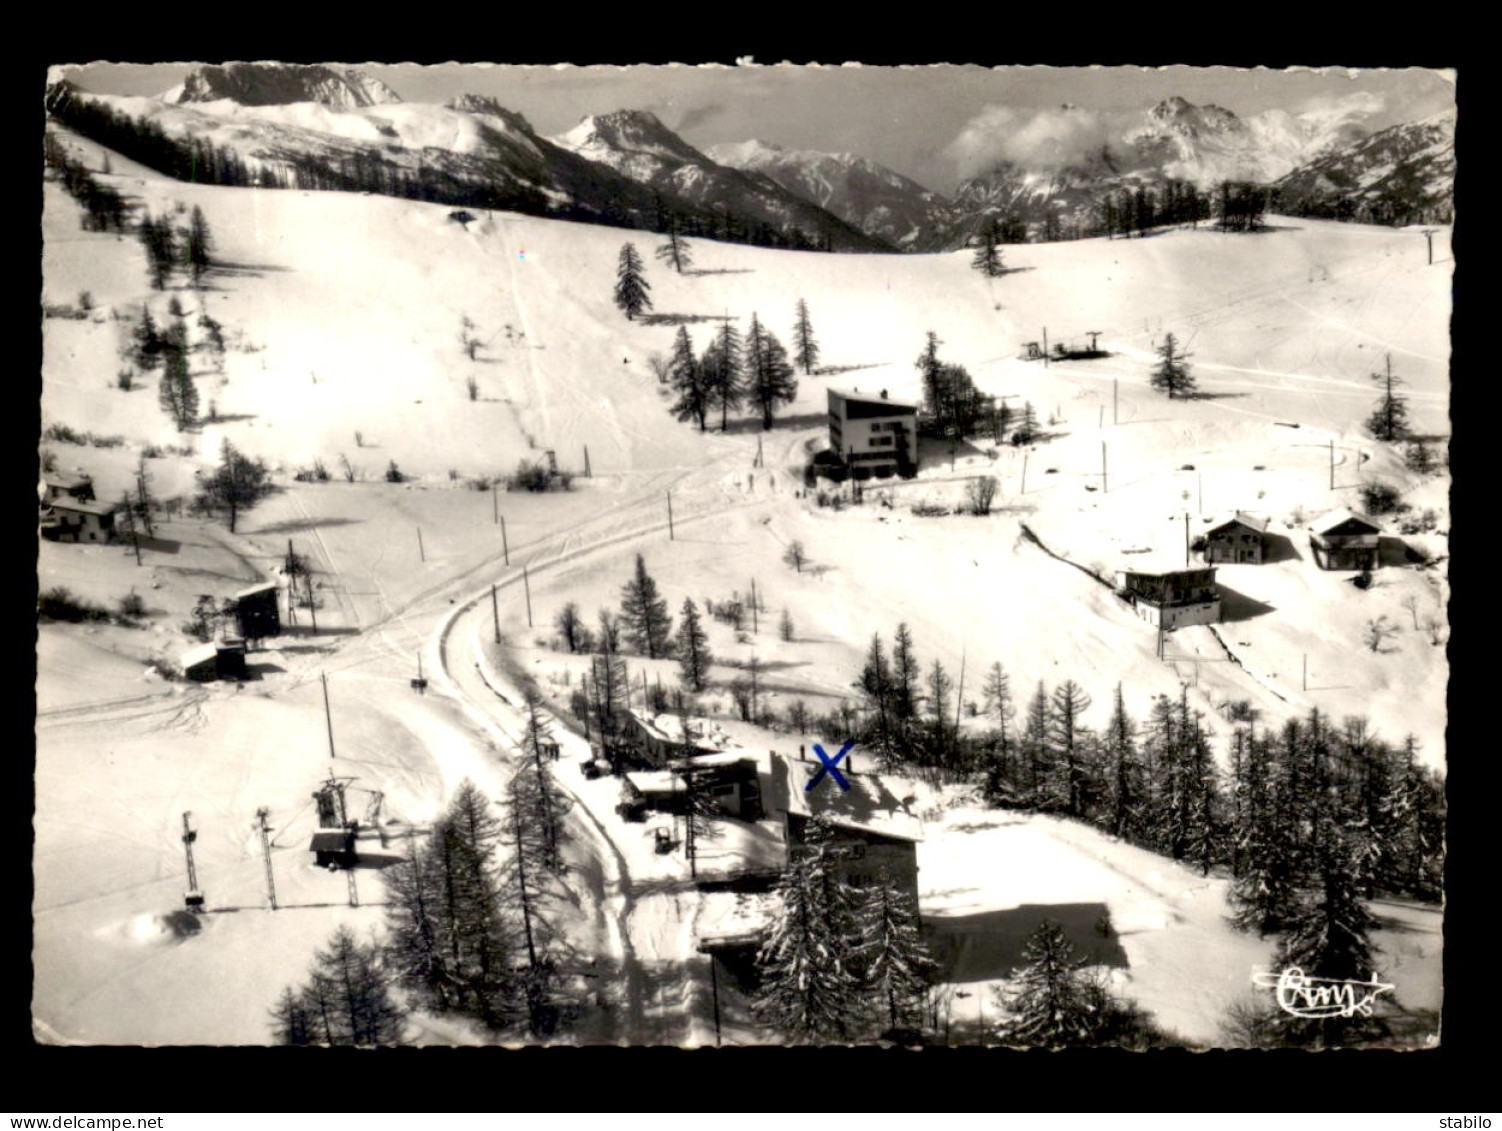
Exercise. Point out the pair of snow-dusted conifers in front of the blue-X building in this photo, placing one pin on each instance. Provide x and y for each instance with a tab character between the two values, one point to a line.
840	961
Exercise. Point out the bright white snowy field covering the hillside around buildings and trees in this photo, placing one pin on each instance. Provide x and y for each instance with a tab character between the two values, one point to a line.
345	316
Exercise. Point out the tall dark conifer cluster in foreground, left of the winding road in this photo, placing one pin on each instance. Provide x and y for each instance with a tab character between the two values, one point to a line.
472	914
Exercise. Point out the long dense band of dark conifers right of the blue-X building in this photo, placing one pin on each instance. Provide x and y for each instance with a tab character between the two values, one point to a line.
1310	819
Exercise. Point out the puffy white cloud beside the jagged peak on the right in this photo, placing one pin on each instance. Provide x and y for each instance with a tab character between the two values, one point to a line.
1039	139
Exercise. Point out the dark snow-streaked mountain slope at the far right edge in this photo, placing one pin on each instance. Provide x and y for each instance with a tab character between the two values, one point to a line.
1405	175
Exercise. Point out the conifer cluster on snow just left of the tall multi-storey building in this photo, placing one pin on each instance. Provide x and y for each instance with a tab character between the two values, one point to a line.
735	372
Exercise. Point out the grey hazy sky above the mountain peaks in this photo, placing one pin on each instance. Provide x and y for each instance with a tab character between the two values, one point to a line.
933	124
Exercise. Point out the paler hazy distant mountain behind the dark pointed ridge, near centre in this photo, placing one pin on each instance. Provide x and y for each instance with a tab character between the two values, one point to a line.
869	196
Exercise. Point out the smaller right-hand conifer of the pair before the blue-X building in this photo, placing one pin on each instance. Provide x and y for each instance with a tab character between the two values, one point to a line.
890	958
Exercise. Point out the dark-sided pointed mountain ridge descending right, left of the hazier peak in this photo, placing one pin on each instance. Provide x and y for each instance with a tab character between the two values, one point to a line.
639	146
